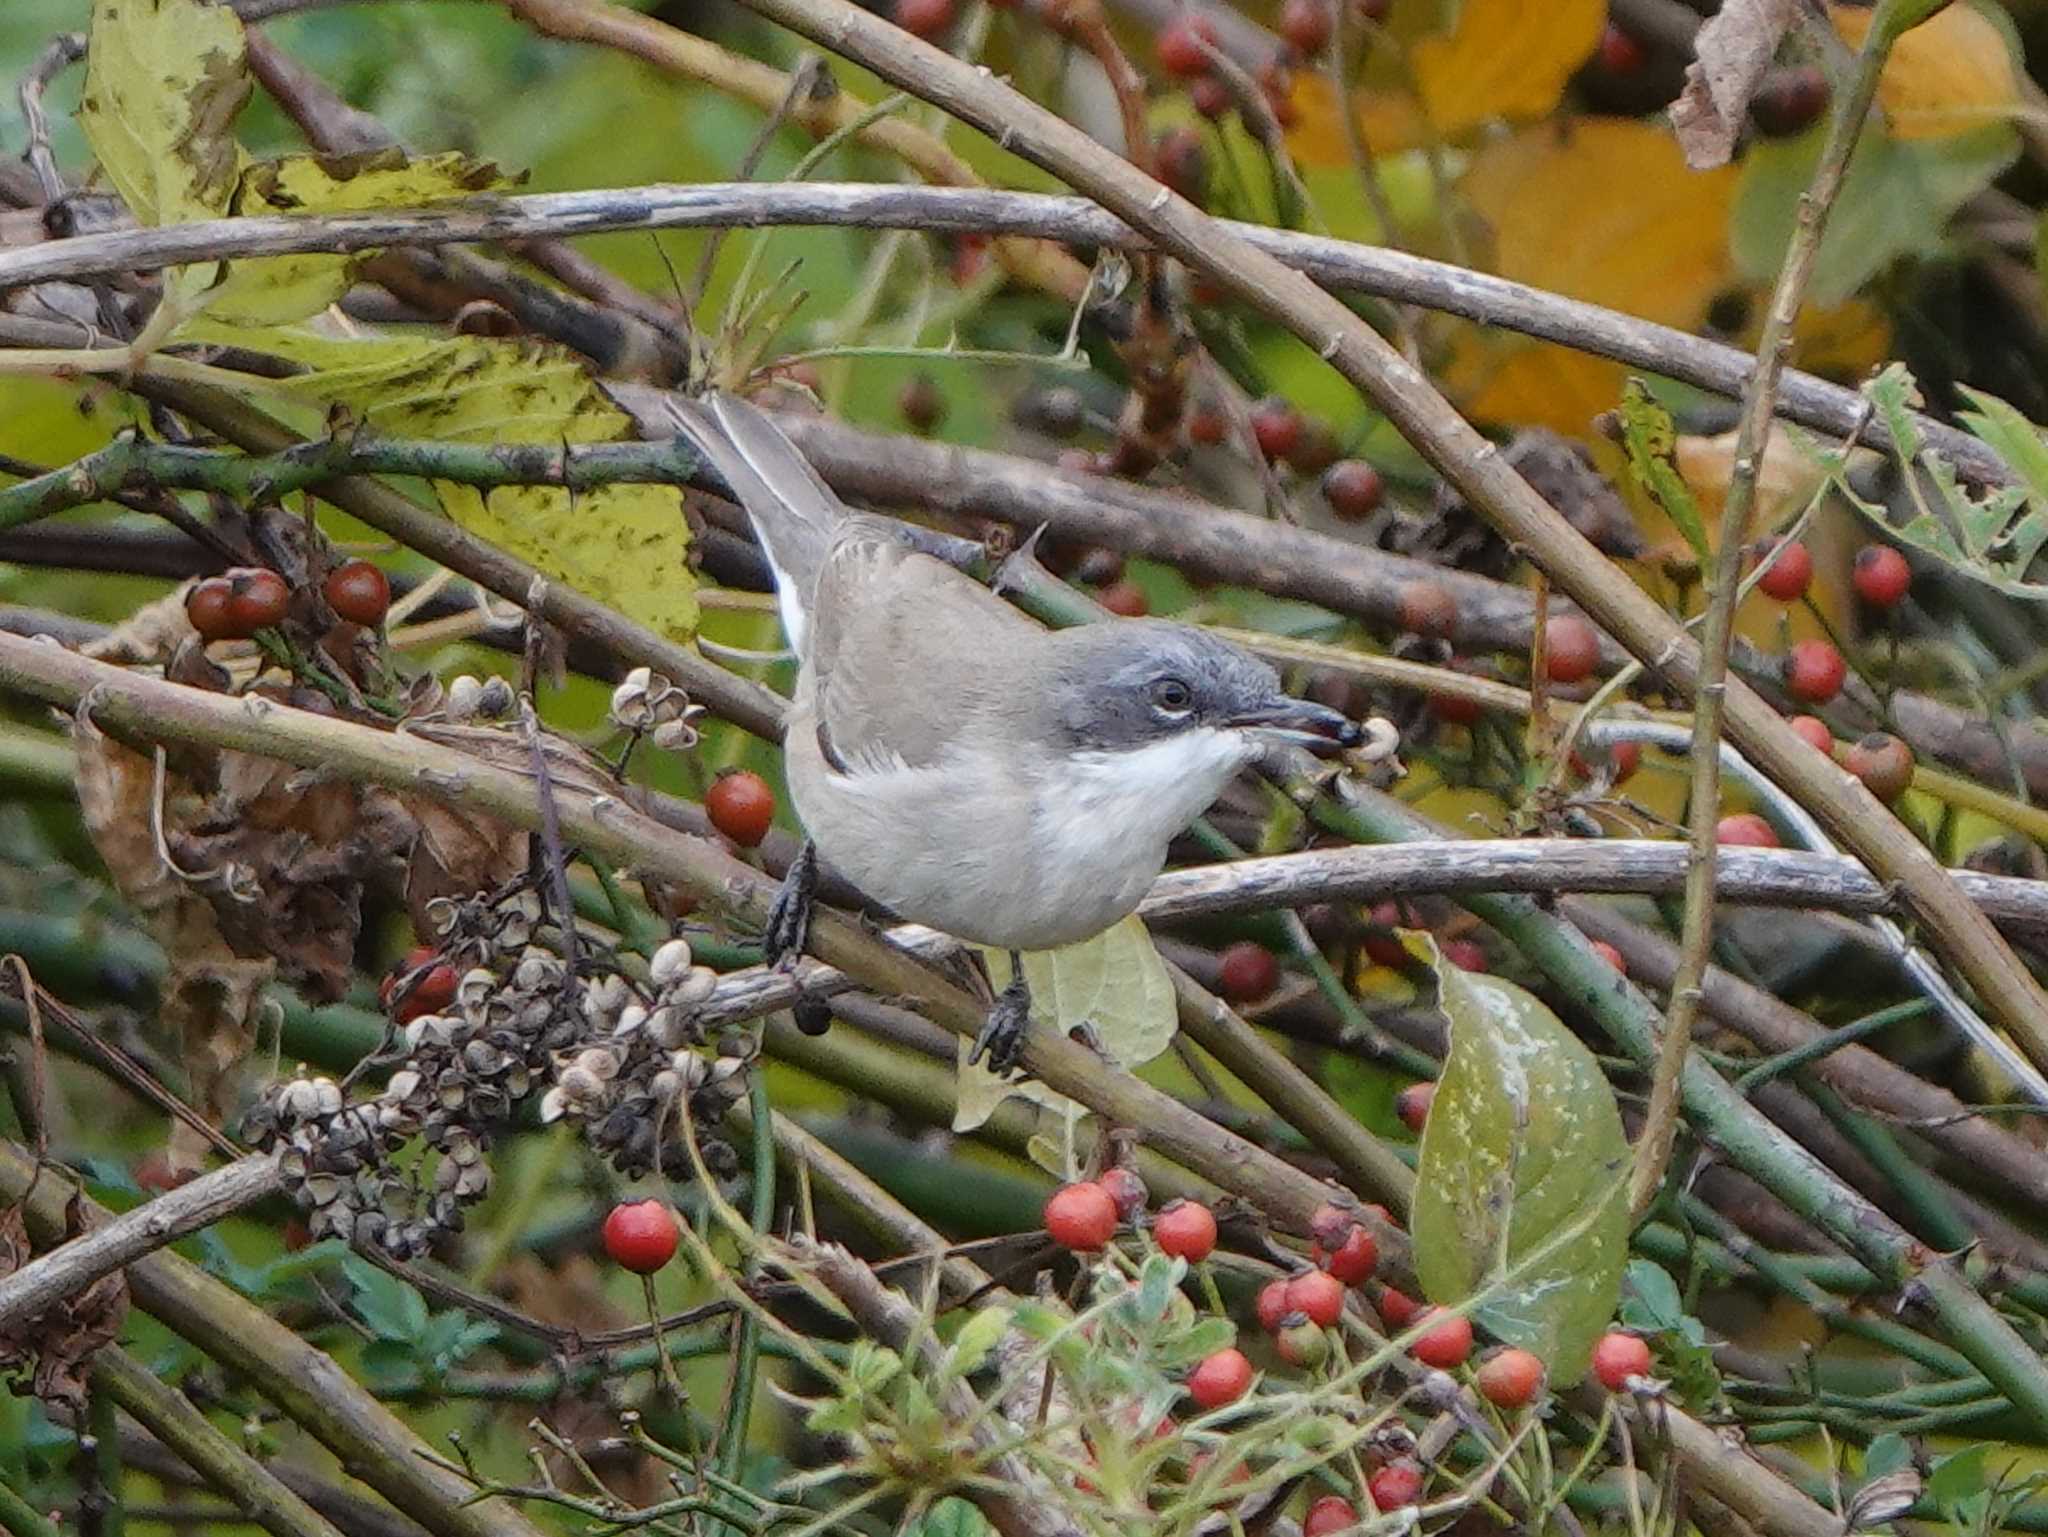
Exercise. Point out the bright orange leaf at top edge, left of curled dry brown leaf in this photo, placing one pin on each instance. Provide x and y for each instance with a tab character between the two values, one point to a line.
1504	58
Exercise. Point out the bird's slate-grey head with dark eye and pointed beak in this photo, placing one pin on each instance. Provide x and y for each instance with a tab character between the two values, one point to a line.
1132	683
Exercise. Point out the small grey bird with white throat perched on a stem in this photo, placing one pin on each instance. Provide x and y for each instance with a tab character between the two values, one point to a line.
959	763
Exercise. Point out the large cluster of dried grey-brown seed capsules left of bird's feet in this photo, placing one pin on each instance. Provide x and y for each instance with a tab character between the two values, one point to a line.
603	1048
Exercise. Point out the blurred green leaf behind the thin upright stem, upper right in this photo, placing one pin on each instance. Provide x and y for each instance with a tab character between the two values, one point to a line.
1895	202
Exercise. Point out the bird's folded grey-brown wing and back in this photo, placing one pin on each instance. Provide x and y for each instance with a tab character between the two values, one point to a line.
906	653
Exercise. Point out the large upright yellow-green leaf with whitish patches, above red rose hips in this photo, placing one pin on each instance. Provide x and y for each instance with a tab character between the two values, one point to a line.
1523	1171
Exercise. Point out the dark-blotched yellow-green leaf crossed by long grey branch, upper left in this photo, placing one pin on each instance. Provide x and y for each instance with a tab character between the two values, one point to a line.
282	290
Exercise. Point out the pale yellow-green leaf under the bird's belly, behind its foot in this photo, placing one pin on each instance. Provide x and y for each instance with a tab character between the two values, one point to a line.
1115	985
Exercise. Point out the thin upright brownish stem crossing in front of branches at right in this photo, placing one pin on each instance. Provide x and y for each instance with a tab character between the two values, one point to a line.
1752	442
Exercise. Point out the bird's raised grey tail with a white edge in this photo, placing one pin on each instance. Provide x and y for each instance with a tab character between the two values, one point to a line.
794	511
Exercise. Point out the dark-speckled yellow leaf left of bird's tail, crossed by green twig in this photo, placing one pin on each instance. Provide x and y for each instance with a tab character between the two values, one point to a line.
626	546
